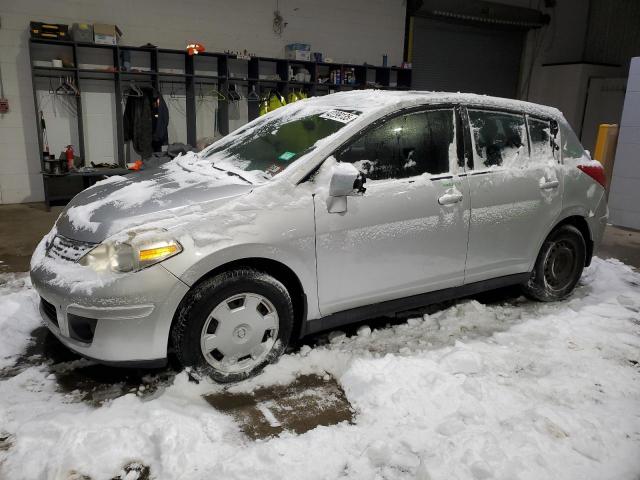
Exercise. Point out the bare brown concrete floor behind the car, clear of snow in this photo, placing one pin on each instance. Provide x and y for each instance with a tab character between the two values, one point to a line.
23	225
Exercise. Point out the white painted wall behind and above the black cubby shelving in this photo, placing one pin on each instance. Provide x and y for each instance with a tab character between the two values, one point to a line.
354	31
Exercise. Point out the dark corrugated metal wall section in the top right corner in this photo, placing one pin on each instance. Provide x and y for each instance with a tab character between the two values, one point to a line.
613	35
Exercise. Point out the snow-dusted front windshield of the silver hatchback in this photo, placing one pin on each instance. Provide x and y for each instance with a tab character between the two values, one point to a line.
270	147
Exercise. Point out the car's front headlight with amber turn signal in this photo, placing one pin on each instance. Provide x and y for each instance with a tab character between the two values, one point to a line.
139	250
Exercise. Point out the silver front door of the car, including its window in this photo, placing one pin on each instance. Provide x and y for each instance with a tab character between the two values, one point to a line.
407	234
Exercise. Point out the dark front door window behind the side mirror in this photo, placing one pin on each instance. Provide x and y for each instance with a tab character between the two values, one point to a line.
406	146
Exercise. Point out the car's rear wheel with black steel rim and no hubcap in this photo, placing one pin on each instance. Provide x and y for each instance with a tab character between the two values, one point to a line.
559	265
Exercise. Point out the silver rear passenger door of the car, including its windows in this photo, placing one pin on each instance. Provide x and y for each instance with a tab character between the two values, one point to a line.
515	189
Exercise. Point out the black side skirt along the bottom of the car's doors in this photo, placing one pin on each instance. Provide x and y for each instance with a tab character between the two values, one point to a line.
357	314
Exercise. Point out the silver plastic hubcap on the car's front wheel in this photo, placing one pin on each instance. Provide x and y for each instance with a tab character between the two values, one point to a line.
239	333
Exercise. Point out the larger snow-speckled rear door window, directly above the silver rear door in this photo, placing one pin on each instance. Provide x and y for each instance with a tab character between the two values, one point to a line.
499	139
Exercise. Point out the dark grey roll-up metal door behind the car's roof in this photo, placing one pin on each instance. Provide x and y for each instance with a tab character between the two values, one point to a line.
455	57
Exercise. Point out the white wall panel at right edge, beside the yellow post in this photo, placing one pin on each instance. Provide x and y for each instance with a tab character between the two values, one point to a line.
624	194
